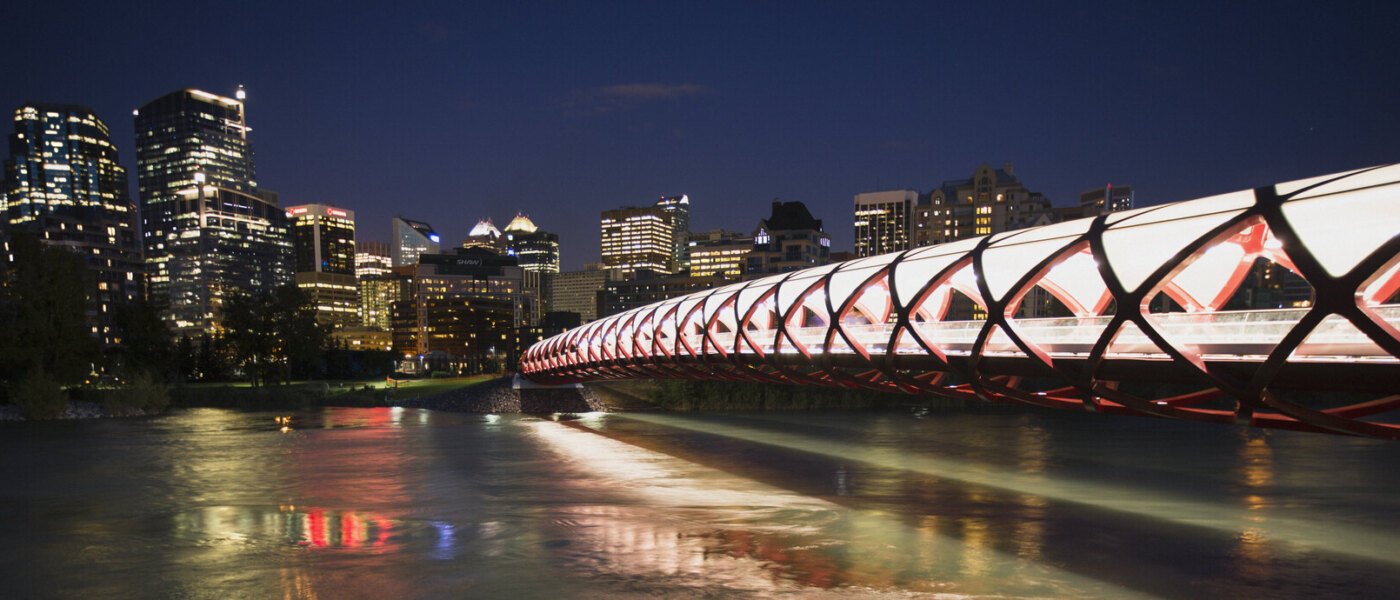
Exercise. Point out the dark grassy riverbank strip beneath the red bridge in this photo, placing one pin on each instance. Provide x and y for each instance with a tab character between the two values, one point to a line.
682	395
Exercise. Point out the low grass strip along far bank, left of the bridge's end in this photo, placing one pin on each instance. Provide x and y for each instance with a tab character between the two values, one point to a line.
304	395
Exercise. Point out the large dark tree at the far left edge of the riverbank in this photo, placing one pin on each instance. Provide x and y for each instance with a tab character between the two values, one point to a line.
44	299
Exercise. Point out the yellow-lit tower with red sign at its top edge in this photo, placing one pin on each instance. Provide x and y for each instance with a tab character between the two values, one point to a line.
325	261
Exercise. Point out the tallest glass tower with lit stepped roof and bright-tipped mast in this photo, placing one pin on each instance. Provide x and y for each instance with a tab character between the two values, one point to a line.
209	231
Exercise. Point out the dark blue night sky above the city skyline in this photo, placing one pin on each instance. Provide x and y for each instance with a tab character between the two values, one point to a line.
450	113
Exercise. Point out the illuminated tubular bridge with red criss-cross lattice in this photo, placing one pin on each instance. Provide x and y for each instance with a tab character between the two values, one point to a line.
1275	307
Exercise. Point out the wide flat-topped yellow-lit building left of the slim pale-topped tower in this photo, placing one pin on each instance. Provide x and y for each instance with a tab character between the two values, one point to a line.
639	238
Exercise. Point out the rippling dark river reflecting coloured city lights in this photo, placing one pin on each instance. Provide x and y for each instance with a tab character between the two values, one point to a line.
393	503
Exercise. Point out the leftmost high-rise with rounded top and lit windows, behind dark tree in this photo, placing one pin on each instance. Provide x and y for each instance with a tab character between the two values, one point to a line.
64	184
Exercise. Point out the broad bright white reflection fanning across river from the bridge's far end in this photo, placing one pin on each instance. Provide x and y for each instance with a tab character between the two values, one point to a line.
701	527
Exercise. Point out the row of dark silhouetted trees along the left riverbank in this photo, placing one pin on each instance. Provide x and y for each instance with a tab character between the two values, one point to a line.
268	339
